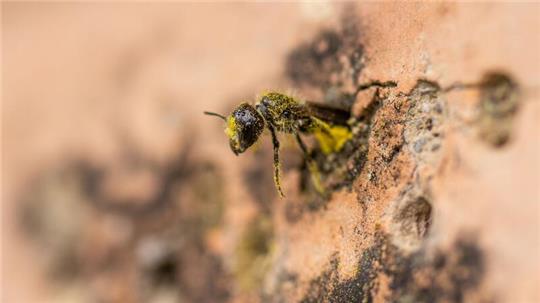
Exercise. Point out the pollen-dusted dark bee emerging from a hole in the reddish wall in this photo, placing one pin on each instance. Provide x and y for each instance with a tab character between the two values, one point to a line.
281	113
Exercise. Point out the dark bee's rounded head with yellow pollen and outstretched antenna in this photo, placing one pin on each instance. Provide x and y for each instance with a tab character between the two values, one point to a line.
244	126
